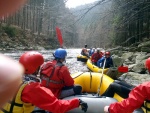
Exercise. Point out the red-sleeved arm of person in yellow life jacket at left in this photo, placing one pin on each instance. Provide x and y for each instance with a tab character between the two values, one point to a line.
44	99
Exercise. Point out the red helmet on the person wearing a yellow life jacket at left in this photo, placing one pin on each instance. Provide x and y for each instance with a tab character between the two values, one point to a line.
31	61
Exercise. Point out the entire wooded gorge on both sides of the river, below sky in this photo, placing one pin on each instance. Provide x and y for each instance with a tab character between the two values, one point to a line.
105	23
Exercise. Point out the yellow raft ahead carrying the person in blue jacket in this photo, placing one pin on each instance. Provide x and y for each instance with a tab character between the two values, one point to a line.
94	68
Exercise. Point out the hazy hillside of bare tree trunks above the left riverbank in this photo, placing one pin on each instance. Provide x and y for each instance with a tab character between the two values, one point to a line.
39	18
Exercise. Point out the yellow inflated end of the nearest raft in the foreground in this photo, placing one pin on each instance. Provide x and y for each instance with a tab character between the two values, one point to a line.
90	82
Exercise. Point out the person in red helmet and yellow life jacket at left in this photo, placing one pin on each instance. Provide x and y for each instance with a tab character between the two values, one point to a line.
33	94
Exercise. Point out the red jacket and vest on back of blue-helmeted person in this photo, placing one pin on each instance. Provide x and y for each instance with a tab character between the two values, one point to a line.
50	75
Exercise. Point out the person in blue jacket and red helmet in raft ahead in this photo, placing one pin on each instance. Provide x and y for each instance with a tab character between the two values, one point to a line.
108	63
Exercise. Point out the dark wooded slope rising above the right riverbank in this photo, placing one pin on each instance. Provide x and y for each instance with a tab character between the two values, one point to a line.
117	22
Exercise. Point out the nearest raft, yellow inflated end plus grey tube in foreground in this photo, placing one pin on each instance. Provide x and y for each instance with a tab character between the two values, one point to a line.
90	82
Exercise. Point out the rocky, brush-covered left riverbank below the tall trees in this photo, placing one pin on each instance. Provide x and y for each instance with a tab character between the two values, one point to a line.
14	38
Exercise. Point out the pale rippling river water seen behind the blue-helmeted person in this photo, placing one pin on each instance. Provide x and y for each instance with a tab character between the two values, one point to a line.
71	60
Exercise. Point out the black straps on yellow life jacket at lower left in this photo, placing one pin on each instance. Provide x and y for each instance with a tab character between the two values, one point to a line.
13	103
